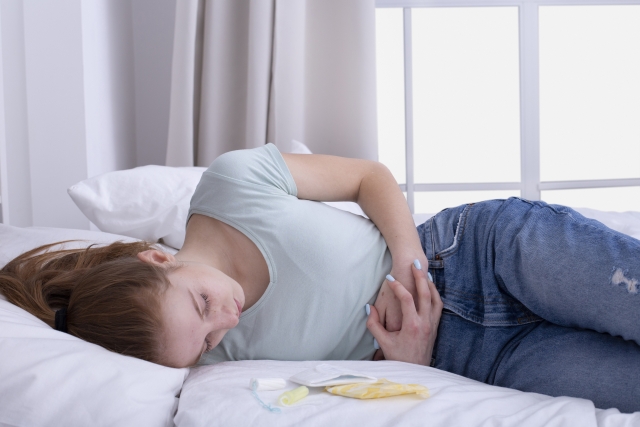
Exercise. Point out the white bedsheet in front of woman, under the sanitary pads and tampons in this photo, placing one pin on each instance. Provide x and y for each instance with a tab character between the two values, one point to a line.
219	395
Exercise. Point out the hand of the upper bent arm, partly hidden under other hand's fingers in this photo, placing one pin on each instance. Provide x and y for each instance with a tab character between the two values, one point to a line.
387	304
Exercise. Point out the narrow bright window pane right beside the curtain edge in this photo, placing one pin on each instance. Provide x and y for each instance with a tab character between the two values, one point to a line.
390	86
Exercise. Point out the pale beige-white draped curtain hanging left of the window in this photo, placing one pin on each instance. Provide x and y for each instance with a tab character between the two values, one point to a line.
248	72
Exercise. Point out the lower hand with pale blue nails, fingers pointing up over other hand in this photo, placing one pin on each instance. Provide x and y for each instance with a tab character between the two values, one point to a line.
415	340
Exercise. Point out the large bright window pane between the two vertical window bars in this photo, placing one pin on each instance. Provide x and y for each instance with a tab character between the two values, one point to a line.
466	94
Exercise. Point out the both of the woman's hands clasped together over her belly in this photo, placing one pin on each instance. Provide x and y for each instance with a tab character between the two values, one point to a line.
406	326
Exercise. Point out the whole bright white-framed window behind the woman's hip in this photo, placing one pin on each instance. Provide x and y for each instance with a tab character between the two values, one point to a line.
483	99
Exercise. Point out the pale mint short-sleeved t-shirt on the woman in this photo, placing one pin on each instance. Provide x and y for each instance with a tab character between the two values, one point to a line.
324	264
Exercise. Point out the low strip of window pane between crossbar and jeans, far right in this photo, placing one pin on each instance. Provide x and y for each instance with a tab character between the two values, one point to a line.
605	199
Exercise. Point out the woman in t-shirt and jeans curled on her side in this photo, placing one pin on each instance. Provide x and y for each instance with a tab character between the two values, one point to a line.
513	293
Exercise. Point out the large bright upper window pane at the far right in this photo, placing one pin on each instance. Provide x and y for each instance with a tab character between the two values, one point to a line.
589	92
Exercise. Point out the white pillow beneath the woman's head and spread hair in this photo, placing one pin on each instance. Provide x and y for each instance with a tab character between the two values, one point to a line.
52	378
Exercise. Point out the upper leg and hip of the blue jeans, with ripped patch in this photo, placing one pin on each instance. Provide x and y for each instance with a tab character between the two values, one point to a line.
513	262
